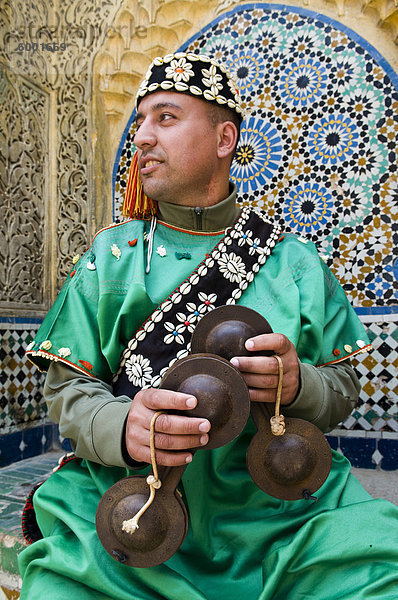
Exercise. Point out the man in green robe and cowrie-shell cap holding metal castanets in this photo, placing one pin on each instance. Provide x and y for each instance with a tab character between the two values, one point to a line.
126	314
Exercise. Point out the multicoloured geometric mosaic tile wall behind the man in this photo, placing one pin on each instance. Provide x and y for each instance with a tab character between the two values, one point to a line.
318	152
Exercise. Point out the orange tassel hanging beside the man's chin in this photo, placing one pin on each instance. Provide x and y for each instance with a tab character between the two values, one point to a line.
136	203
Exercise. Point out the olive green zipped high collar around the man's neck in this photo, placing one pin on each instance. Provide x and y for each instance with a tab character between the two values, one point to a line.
212	218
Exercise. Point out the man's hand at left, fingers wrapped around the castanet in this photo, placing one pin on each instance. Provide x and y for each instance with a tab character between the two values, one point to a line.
174	434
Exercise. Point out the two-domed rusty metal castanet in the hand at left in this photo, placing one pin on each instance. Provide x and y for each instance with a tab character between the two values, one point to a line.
223	398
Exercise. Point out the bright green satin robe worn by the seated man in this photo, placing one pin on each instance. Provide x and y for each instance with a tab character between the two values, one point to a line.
240	541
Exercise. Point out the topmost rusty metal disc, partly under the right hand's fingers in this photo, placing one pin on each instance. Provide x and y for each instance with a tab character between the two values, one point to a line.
224	331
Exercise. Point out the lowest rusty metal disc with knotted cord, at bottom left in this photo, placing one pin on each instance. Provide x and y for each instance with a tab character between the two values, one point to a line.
162	528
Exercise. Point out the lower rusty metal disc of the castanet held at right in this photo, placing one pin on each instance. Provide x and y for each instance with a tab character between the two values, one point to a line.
292	465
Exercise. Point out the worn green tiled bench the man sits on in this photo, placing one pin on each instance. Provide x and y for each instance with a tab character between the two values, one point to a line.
17	480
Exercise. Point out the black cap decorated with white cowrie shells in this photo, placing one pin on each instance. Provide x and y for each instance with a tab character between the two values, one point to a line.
197	75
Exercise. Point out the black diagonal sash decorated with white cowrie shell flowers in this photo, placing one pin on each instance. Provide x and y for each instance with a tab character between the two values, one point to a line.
221	278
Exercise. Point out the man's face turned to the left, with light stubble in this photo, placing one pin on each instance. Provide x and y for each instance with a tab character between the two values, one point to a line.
177	148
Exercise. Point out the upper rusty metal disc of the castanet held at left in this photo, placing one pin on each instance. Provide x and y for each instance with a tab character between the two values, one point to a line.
221	392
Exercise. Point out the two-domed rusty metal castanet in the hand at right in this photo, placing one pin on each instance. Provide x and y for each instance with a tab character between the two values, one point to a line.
289	466
